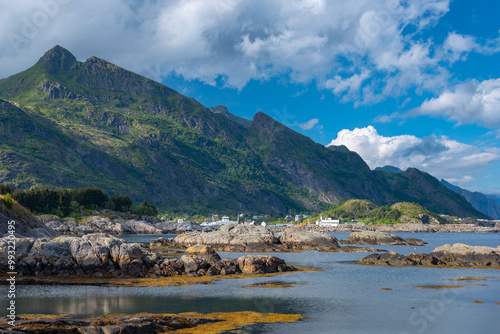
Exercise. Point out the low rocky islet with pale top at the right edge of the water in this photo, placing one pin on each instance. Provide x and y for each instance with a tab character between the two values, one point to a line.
457	255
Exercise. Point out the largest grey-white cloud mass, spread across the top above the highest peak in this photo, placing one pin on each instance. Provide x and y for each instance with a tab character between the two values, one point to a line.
355	49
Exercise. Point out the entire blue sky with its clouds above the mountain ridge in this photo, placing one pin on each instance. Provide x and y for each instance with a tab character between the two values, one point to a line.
405	83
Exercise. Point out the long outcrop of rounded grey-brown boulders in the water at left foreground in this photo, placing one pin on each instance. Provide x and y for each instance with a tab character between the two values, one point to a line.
102	255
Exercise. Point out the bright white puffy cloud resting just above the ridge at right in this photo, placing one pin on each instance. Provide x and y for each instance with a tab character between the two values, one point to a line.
437	155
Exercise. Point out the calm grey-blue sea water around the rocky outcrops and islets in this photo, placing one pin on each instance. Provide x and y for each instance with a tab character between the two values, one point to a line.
343	298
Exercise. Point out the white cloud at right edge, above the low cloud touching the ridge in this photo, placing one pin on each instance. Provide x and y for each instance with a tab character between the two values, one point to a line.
469	102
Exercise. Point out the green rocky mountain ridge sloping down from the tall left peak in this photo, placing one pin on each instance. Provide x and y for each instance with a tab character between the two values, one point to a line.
65	123
